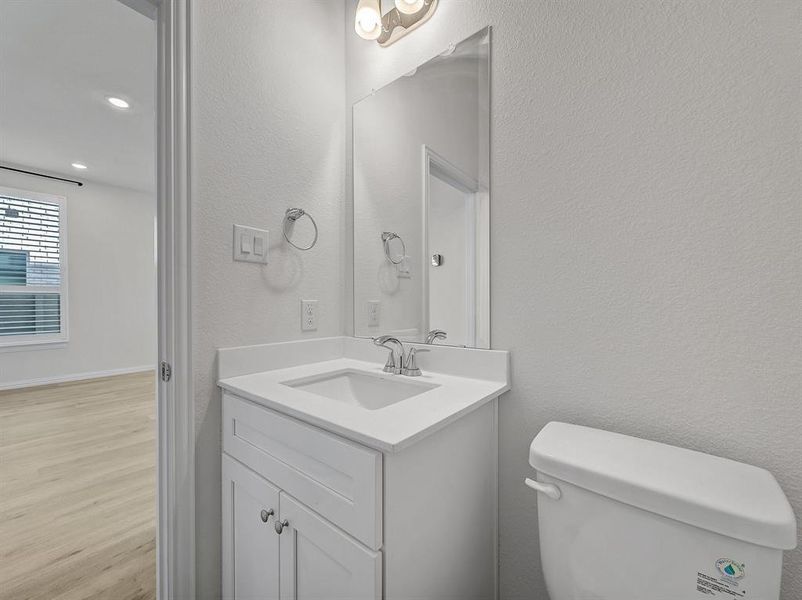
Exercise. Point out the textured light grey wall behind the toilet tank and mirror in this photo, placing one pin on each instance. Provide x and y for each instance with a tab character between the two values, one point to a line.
646	227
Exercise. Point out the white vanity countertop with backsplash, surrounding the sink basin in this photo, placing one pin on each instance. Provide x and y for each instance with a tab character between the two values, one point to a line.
389	429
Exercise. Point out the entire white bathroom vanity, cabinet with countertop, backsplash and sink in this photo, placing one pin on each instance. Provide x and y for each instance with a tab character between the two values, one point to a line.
342	481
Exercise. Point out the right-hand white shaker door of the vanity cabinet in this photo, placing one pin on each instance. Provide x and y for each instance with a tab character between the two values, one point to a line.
321	562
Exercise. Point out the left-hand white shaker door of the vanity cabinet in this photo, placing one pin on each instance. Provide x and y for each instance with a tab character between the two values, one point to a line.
250	543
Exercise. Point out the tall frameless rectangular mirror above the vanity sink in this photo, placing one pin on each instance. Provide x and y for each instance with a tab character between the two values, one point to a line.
422	202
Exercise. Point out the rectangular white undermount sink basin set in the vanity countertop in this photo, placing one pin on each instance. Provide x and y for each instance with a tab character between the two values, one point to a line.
367	390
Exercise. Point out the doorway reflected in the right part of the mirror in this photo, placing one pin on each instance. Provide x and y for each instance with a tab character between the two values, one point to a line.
456	254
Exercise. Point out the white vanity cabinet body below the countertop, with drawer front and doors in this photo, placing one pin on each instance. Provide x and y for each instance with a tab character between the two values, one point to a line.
356	523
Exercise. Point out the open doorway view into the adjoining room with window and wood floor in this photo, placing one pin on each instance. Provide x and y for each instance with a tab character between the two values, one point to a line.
78	300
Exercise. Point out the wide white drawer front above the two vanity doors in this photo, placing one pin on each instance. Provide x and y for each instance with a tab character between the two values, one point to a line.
338	479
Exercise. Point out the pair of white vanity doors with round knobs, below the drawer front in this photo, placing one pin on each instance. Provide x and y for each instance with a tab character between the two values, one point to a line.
310	559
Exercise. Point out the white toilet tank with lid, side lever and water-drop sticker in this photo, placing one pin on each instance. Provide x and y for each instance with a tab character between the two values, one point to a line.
621	518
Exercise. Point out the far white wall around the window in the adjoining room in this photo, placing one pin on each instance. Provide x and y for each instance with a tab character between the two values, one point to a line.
111	270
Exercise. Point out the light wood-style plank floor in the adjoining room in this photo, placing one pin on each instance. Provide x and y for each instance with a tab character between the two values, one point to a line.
77	490
